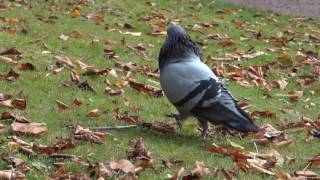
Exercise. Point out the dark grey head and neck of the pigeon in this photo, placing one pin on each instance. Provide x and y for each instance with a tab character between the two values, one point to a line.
177	47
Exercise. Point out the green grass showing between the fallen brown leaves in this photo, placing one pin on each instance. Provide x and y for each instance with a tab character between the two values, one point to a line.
41	90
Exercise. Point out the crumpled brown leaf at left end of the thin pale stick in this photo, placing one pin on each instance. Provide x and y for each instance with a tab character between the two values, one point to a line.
87	135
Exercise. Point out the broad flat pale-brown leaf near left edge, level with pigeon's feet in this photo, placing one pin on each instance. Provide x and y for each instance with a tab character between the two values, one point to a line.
29	128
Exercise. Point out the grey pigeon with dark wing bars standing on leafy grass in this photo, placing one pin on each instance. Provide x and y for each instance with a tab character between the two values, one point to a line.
192	87
